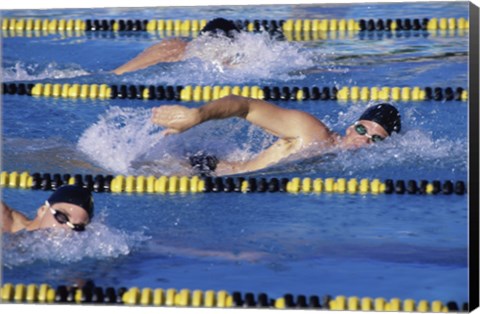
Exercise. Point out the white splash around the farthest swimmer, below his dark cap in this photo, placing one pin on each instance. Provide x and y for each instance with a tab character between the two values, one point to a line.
252	56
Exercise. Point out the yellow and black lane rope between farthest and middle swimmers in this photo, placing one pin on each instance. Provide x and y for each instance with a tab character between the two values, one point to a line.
207	93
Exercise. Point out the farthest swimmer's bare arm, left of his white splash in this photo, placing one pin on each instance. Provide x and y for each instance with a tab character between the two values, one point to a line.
170	50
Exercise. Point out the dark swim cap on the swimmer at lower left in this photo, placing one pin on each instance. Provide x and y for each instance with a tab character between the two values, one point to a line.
74	195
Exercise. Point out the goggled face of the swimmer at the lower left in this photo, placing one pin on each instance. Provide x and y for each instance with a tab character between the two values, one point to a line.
63	215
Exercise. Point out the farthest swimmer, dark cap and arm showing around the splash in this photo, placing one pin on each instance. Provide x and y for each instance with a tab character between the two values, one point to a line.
173	50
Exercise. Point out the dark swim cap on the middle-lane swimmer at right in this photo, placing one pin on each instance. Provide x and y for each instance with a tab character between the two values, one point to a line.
384	114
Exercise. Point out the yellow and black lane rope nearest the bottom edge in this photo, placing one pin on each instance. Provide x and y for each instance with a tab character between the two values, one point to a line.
44	293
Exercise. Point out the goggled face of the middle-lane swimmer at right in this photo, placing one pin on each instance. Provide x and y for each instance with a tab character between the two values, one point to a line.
362	133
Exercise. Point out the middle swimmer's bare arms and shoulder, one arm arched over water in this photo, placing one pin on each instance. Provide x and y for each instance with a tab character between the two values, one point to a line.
296	129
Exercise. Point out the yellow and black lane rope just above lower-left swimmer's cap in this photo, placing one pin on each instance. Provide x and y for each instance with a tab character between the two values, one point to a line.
195	184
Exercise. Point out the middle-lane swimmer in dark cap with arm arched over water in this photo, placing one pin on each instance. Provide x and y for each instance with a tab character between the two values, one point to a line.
296	130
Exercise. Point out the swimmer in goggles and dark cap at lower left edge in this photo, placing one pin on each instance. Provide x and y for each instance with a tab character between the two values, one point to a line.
69	207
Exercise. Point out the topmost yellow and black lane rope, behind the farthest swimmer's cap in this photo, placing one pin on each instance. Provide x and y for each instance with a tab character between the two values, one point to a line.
290	25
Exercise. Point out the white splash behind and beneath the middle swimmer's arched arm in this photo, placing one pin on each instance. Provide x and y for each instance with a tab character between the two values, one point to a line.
125	141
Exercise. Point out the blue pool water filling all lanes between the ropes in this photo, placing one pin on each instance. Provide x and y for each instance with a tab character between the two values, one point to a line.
405	246
